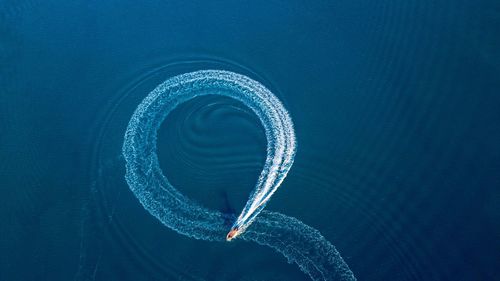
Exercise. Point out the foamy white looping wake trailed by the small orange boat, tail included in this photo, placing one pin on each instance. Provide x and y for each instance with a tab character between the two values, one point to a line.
298	242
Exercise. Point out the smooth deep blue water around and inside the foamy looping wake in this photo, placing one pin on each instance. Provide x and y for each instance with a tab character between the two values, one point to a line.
396	109
